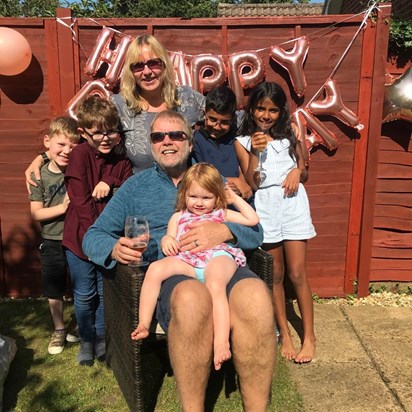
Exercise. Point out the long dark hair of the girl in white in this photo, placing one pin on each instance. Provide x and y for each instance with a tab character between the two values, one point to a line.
282	129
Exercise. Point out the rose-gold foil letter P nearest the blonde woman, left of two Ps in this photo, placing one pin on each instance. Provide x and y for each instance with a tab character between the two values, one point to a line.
204	64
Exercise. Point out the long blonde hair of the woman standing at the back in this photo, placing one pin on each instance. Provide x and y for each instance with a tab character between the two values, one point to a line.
128	87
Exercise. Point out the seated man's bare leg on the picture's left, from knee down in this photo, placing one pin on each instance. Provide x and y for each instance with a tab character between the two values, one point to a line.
191	342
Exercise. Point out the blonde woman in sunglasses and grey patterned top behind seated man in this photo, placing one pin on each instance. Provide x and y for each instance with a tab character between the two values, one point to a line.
148	86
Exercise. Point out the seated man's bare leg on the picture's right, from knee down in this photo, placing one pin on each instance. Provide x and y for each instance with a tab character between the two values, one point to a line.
253	341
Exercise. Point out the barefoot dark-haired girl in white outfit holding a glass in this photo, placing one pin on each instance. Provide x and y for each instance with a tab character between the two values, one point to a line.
281	204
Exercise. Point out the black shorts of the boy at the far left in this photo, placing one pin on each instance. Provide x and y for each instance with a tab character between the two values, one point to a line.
53	269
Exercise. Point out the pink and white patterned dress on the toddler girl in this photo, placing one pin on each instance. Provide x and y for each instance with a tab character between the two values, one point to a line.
200	259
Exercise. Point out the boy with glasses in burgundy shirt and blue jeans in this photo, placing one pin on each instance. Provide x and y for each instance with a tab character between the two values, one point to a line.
97	167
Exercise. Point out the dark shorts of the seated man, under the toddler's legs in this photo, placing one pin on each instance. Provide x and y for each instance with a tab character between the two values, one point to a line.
163	303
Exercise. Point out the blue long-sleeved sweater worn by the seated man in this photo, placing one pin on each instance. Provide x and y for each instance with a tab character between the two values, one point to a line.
150	193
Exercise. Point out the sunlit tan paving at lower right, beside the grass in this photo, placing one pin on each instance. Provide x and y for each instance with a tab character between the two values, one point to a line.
348	375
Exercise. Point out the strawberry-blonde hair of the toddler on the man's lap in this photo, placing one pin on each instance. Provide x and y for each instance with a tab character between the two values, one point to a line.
208	178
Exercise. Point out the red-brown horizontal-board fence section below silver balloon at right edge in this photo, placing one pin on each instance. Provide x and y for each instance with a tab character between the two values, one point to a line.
391	255
